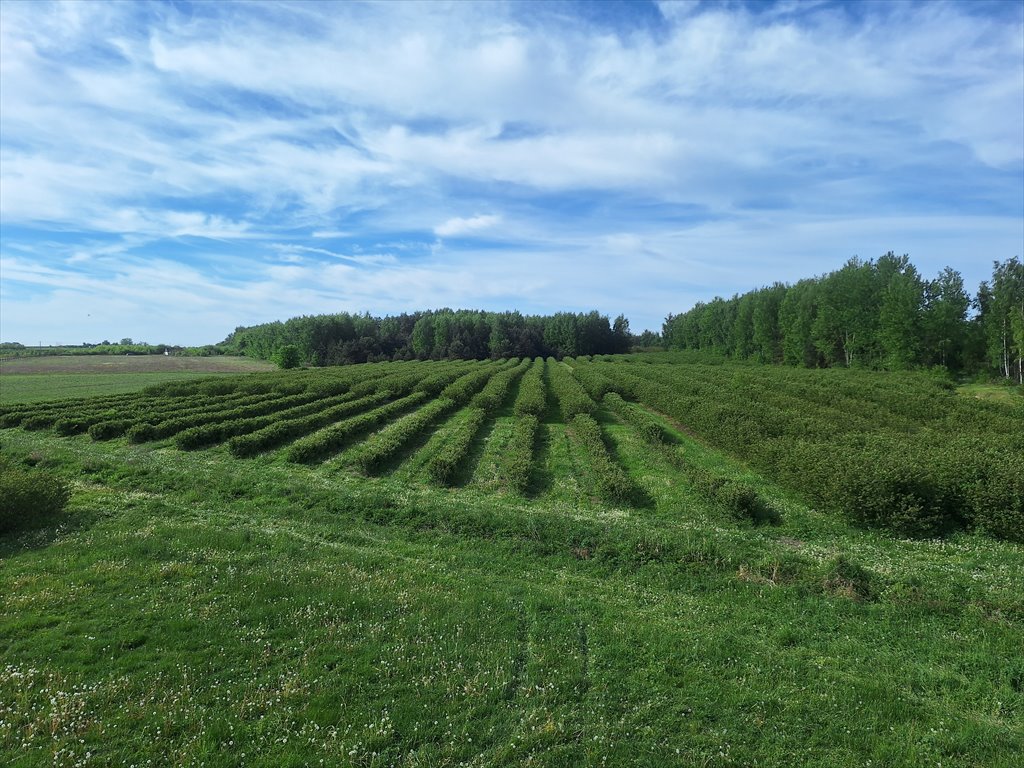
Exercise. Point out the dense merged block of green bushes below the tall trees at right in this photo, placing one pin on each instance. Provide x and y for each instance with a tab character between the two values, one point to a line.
924	482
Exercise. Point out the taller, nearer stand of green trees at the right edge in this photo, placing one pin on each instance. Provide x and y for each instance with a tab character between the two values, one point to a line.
874	314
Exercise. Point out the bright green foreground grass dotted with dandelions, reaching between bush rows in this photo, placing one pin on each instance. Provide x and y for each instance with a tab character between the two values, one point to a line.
193	609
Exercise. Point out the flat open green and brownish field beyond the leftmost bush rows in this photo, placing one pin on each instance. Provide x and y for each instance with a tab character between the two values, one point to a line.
34	379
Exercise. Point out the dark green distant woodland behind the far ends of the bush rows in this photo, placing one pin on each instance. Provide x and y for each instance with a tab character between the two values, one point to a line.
445	334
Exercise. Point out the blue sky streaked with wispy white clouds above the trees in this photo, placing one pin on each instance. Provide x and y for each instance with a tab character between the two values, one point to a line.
173	170
